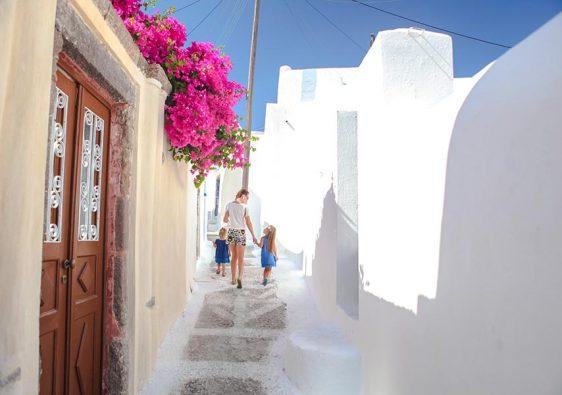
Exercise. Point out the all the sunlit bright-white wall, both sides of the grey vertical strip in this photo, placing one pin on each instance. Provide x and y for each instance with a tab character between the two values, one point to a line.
406	101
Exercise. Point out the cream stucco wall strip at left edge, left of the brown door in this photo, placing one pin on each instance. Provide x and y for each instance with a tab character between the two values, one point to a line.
25	66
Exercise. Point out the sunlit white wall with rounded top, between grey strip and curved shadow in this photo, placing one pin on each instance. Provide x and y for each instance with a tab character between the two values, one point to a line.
405	123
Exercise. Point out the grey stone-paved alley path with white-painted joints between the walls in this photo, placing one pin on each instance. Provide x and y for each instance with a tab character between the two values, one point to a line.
231	341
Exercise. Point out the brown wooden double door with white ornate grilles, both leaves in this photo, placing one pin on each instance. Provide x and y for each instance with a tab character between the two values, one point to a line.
72	271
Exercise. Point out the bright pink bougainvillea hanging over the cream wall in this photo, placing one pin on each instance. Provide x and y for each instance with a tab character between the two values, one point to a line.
201	123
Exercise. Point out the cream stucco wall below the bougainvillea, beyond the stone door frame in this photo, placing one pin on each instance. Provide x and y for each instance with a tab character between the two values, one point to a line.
163	268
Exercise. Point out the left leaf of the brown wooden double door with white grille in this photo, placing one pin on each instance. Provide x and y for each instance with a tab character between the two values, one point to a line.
56	239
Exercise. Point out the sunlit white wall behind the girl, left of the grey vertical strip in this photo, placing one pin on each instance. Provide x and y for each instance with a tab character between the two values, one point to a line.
297	154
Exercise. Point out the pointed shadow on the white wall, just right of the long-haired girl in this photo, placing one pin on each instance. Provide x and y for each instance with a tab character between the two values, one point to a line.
335	274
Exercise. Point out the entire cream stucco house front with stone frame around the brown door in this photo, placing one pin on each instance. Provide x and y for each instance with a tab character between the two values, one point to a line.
154	202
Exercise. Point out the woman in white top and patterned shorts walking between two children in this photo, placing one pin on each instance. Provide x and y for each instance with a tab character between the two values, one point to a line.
237	218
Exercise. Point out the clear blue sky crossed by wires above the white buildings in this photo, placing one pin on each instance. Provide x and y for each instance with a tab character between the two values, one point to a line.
292	33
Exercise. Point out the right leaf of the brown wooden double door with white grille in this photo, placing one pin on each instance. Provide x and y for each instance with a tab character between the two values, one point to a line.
86	282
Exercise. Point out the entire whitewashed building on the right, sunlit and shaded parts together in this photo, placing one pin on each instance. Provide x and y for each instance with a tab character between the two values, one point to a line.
424	207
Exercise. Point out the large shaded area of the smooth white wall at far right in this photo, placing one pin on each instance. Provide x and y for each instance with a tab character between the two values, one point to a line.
494	327
